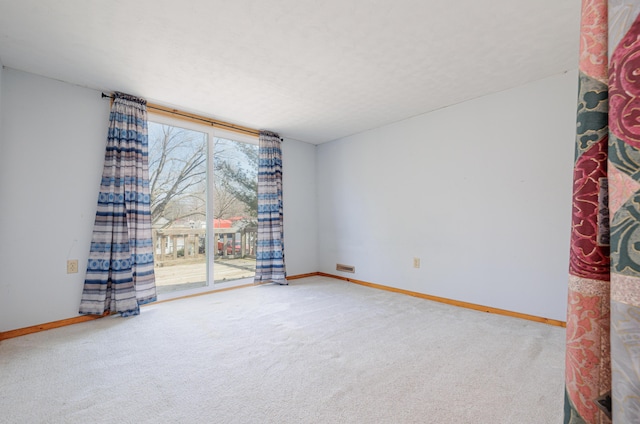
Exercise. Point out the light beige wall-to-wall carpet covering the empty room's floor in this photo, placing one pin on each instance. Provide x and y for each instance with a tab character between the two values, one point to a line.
317	351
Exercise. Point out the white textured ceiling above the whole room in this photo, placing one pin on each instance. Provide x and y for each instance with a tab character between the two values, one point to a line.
311	70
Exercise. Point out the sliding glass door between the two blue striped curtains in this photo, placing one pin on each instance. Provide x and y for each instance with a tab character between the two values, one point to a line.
203	185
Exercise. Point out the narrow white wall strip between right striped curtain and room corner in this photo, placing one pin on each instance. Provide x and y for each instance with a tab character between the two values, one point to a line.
300	207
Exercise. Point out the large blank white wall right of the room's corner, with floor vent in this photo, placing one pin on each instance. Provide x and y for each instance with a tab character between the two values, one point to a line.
480	192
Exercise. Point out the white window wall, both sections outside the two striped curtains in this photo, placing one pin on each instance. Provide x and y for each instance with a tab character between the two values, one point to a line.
53	138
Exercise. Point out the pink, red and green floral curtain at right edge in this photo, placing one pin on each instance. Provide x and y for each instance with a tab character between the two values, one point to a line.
603	314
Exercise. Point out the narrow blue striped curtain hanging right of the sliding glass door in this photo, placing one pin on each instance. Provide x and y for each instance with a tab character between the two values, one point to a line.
270	252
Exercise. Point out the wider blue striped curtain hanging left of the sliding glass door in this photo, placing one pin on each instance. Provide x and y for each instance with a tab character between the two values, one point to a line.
120	273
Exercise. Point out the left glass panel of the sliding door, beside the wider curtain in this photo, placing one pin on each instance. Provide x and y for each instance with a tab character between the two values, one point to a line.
178	186
